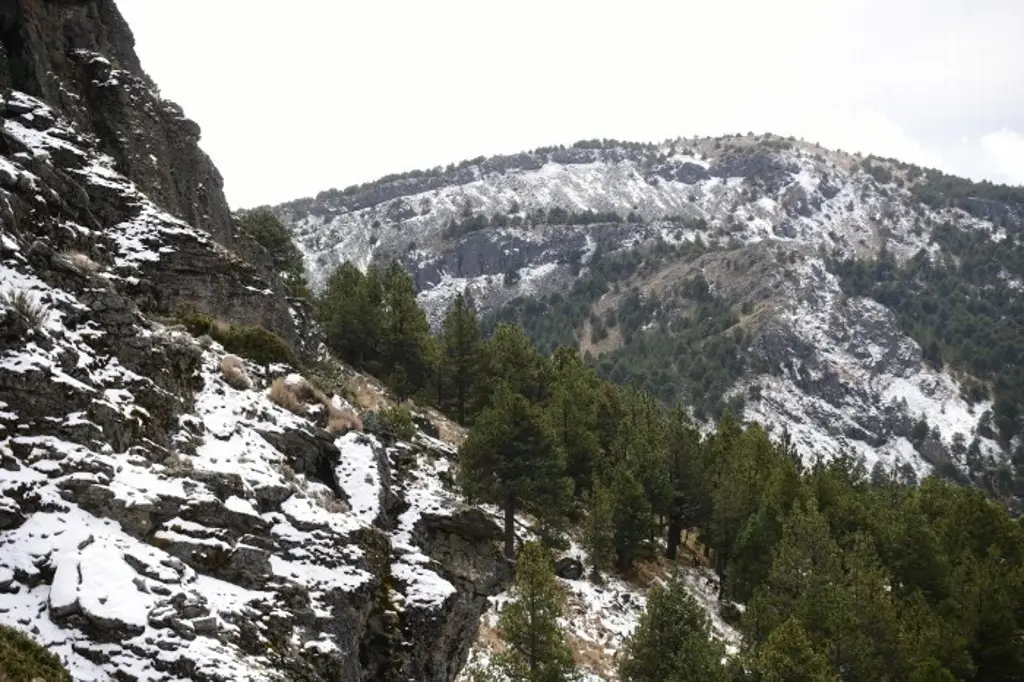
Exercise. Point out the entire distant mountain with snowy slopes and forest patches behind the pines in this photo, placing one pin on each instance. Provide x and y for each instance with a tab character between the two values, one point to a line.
860	304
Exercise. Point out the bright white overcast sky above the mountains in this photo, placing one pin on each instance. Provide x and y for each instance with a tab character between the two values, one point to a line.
306	96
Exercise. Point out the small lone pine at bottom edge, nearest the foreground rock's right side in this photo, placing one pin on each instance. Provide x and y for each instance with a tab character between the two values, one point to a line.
536	647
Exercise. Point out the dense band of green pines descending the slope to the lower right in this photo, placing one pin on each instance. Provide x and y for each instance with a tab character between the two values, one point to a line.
841	575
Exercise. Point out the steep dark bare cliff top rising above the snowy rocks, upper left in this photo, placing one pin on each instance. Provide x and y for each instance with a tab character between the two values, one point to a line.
79	57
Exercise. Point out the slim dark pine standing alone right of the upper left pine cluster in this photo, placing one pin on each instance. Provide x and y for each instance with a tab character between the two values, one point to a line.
461	349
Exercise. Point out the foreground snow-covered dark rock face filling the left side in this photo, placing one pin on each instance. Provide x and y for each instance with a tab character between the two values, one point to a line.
157	523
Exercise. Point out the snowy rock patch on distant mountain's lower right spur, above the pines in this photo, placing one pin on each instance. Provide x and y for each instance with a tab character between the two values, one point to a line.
824	319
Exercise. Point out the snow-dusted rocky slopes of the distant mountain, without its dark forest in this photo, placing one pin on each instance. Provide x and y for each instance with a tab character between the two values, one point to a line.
762	220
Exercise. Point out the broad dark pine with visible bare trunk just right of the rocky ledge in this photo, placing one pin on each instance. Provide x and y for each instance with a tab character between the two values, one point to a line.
513	459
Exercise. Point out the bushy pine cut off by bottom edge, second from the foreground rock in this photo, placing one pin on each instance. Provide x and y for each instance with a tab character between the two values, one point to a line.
672	642
